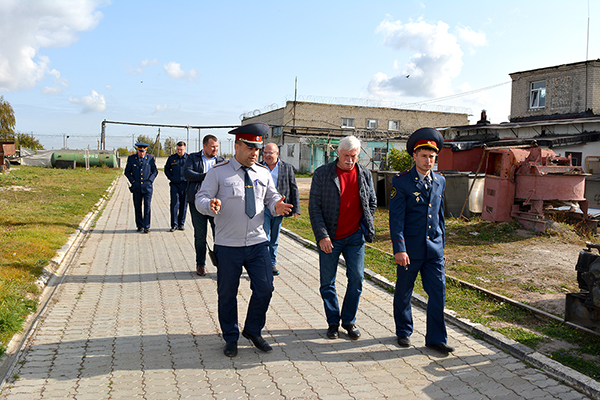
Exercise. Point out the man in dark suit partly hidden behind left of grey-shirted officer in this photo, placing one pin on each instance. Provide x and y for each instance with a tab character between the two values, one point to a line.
194	172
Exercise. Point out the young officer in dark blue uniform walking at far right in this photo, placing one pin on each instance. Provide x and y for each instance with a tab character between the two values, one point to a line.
417	229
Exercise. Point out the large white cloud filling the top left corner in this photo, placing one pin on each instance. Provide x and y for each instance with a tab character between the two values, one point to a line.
28	26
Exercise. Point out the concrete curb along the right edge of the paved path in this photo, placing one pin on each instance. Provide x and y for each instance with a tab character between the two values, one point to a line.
556	370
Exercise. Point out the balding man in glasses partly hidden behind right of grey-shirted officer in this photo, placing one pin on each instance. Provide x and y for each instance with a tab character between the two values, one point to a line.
285	181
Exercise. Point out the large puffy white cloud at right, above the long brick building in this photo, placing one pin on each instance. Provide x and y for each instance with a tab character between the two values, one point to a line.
436	58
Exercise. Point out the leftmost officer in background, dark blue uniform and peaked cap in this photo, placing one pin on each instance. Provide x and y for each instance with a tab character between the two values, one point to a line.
141	172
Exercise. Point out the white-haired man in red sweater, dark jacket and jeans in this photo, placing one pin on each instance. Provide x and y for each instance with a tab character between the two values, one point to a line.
342	209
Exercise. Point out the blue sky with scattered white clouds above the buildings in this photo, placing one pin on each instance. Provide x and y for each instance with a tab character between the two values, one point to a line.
67	65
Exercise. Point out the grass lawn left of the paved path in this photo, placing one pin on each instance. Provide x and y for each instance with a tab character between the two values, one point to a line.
39	209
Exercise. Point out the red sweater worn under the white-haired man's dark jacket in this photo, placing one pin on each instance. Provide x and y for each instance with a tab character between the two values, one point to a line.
350	207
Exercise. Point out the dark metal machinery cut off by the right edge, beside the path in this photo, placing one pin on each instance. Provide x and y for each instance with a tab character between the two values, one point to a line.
583	308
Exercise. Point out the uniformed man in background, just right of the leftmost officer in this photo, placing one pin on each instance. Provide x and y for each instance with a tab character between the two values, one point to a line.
178	185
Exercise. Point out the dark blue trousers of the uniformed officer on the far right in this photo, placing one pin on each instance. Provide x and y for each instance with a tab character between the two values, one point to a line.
434	284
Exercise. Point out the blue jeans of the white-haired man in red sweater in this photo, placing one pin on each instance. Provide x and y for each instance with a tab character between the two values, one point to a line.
353	249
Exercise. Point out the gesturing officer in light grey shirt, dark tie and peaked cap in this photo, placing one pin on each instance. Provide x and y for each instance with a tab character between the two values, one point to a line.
236	192
